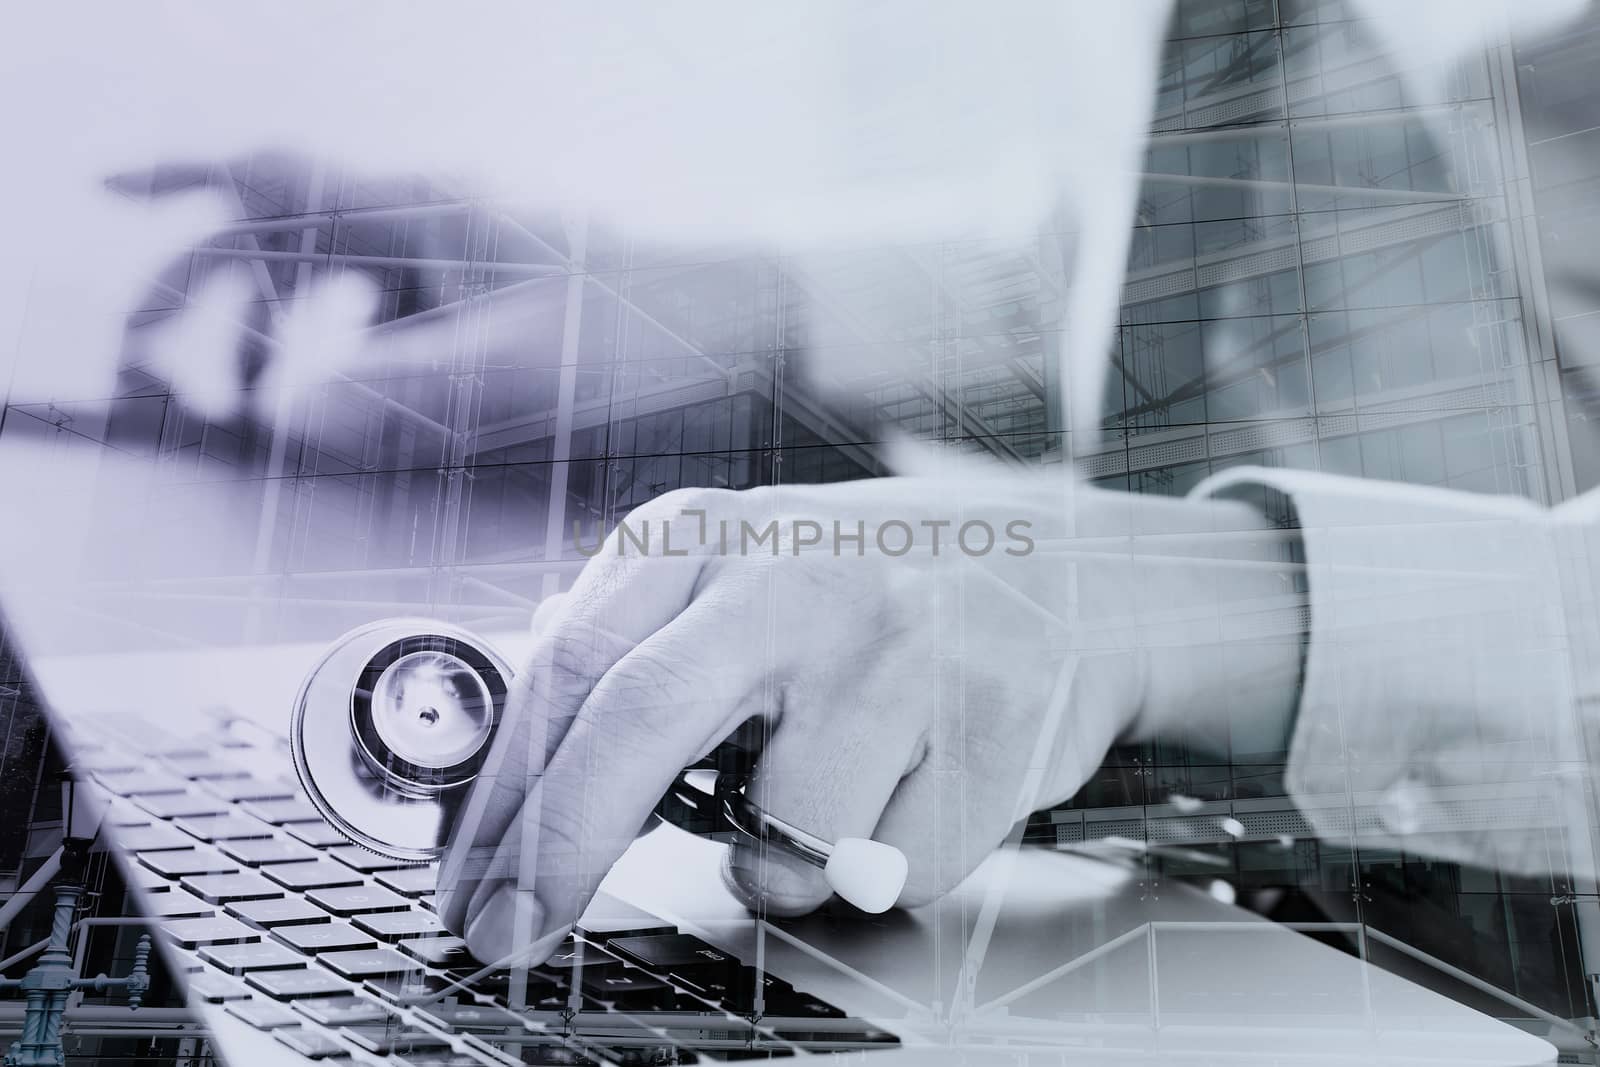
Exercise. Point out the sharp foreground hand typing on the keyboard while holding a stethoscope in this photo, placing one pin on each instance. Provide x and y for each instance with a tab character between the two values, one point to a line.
922	700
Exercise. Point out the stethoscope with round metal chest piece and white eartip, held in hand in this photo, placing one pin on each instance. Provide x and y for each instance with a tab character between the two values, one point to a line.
396	719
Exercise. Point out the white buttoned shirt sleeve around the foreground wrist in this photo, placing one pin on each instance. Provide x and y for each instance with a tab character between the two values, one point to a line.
1444	703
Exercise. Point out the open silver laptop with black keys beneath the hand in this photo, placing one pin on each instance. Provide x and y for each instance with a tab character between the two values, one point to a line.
297	946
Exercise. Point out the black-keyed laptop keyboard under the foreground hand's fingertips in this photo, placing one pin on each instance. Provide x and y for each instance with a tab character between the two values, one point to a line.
337	951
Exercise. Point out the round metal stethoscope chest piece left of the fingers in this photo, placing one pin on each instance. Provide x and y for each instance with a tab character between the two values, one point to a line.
393	727
